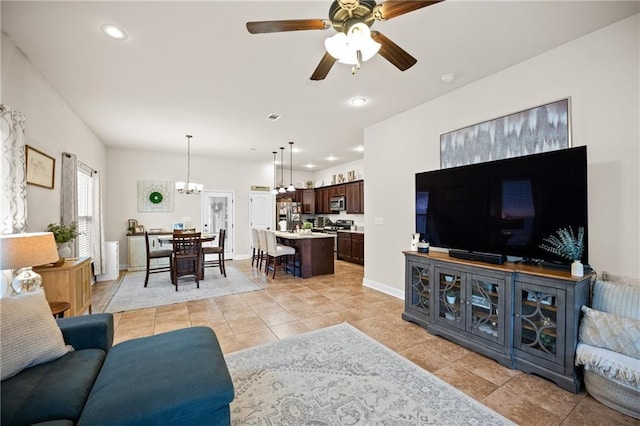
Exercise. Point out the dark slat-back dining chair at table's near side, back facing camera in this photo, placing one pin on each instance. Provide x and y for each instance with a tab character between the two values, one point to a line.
187	257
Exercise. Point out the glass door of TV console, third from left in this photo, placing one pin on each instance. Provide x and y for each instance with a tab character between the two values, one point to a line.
485	304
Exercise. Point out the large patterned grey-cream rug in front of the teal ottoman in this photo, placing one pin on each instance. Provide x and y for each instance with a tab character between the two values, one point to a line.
340	376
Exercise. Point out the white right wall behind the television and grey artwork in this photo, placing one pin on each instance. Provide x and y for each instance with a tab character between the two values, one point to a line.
600	73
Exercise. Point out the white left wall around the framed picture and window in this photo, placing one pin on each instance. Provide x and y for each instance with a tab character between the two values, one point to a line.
51	127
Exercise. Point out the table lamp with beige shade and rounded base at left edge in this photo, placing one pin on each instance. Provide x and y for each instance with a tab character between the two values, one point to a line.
21	252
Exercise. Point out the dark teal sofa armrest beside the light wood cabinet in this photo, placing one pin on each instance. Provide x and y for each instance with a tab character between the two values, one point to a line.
88	331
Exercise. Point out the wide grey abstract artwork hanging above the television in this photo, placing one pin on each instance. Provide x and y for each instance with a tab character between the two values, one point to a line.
539	129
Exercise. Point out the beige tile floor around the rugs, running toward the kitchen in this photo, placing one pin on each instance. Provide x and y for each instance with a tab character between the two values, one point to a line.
289	306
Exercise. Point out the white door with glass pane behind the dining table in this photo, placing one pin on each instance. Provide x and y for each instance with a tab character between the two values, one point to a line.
217	212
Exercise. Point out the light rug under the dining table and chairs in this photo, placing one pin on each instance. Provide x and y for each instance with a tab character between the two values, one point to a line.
159	291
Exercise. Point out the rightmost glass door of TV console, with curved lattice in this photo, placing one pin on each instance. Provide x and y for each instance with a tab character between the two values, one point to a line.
539	325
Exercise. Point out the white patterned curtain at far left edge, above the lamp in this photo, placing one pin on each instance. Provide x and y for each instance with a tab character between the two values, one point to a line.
13	195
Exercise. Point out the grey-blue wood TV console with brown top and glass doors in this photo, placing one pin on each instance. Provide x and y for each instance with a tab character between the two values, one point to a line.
524	317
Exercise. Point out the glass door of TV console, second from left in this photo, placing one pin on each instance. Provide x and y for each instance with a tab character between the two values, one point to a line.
450	300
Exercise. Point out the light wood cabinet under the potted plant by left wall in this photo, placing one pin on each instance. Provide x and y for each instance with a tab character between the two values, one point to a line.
69	282
